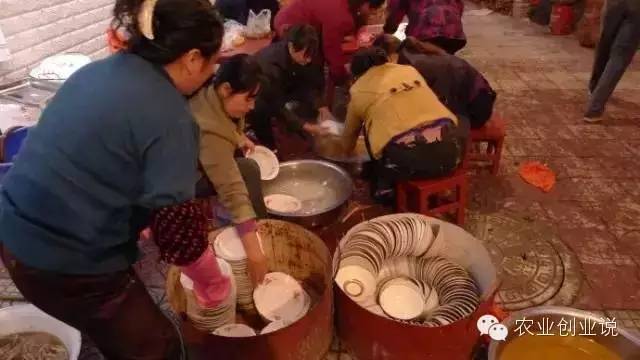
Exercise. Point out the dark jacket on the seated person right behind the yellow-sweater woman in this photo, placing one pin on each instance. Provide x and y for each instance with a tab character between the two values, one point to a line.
457	84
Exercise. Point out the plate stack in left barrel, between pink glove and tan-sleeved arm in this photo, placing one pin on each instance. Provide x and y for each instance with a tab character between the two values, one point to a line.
228	246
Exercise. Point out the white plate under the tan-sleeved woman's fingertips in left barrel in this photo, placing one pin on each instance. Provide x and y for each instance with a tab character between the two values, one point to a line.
280	297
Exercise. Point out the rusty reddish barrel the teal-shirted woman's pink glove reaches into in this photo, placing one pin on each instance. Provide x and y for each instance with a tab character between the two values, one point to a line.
293	250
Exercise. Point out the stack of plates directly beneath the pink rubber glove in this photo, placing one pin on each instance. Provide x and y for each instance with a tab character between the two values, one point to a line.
209	319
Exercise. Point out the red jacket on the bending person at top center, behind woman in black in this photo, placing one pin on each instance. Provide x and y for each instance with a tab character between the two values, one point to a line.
331	18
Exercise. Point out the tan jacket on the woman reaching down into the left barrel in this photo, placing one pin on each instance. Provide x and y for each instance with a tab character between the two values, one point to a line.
219	138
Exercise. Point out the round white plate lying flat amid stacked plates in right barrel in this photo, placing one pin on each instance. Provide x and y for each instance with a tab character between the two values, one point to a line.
402	300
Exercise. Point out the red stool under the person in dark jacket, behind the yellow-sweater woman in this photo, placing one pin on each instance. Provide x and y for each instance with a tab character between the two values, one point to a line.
492	133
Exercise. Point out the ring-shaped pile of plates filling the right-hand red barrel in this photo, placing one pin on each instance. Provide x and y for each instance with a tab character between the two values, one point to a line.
393	266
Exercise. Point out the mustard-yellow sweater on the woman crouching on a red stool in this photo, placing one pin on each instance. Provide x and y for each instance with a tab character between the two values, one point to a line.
389	100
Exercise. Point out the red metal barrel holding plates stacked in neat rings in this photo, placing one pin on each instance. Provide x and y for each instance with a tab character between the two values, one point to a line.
371	337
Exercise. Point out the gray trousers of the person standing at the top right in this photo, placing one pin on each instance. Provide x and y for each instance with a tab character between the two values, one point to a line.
618	44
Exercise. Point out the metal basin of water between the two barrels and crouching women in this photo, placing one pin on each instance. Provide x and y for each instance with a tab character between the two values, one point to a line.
322	188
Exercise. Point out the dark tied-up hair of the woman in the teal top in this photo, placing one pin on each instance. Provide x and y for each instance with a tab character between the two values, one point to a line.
178	26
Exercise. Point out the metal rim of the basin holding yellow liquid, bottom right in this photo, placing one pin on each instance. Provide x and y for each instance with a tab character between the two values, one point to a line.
626	344
